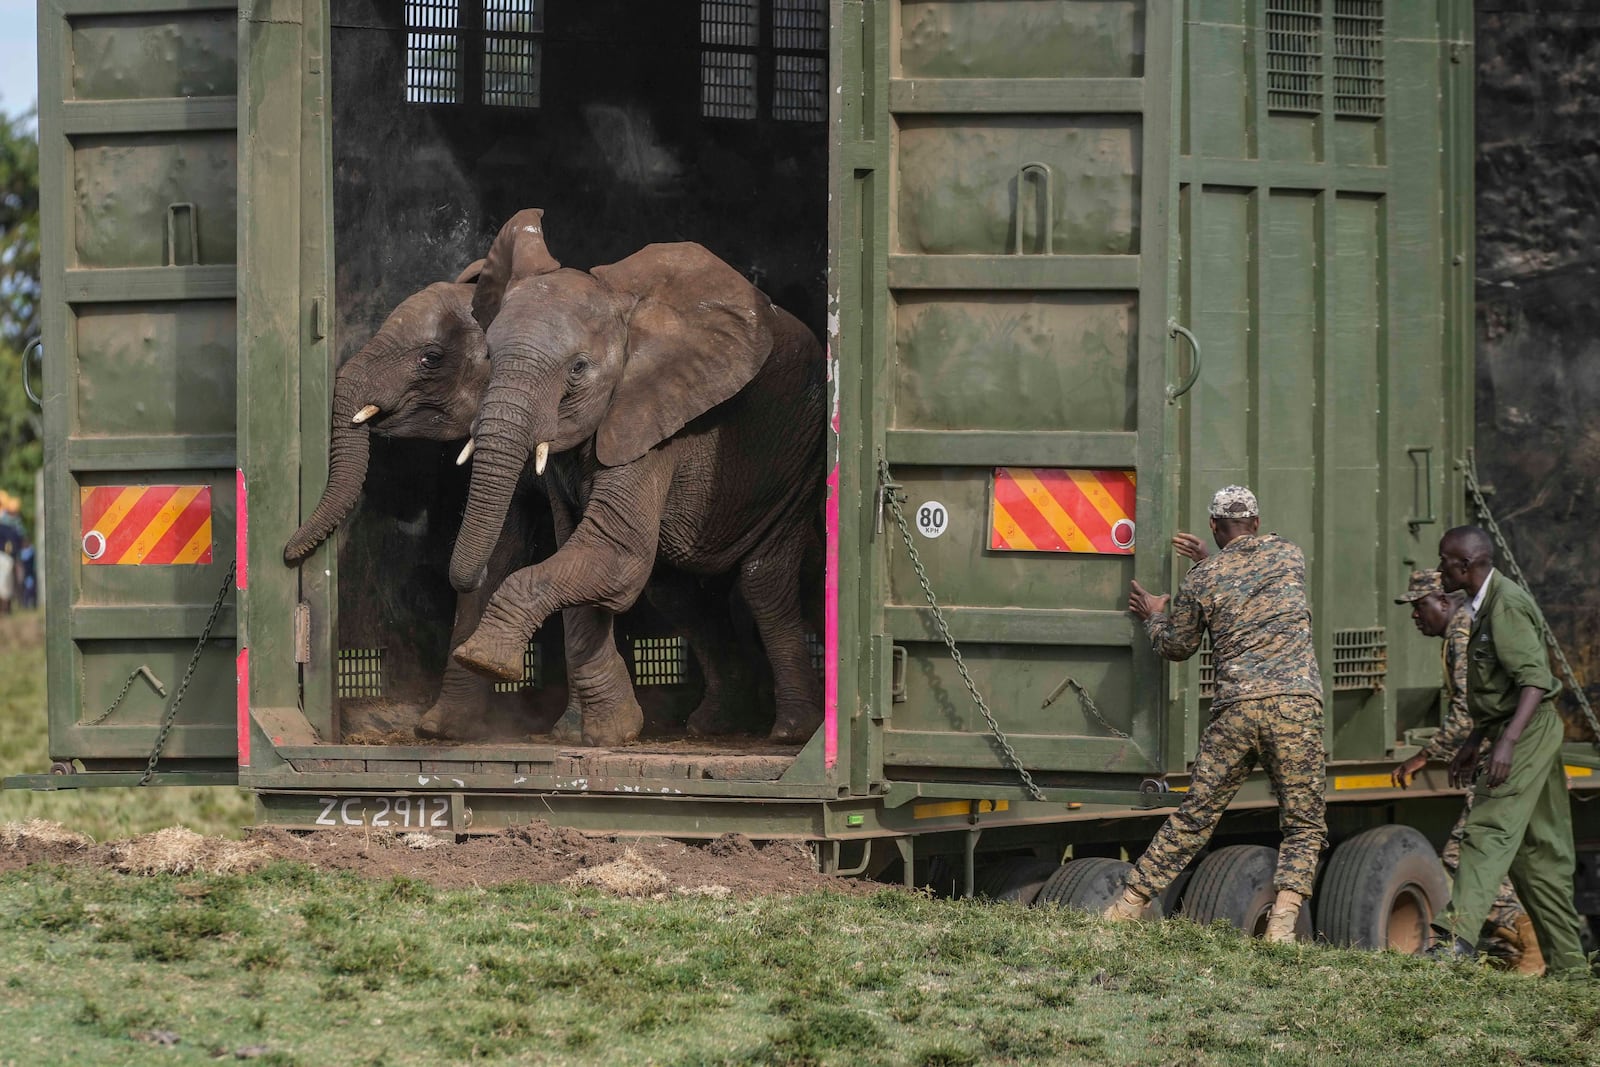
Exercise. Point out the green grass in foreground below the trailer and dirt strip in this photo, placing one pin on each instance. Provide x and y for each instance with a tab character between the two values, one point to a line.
329	969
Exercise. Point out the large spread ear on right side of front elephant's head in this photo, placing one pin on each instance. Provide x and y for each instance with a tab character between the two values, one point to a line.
697	335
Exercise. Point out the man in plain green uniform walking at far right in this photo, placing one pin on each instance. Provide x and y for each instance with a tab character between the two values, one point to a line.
1521	818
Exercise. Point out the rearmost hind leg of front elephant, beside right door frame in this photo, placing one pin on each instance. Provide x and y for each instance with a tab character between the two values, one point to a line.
770	581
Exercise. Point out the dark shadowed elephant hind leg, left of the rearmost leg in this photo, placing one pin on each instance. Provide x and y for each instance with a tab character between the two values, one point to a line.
700	615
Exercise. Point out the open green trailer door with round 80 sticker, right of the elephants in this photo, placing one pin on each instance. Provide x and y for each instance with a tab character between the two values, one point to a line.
1028	393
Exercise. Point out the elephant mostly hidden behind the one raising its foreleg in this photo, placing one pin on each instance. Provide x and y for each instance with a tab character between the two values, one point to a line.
423	375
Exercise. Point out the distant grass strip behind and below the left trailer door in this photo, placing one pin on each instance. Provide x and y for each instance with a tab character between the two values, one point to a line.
102	813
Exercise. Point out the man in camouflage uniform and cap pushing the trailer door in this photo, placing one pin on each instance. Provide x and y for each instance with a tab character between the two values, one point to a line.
1268	705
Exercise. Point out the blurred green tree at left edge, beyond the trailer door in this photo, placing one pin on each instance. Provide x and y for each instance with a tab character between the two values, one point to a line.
22	450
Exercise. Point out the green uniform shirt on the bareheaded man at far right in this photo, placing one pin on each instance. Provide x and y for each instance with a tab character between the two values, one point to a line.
1505	655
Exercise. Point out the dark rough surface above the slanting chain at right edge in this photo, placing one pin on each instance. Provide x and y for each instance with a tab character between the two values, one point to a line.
1538	303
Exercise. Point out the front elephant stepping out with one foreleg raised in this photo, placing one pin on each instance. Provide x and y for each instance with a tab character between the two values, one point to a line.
681	415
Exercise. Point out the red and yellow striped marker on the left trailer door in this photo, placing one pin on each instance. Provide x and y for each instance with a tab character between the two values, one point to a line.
146	524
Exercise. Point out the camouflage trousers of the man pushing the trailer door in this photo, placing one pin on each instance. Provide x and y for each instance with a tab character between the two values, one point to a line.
1286	735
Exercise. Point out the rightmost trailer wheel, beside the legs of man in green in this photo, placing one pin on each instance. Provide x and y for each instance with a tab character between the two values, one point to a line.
1382	892
